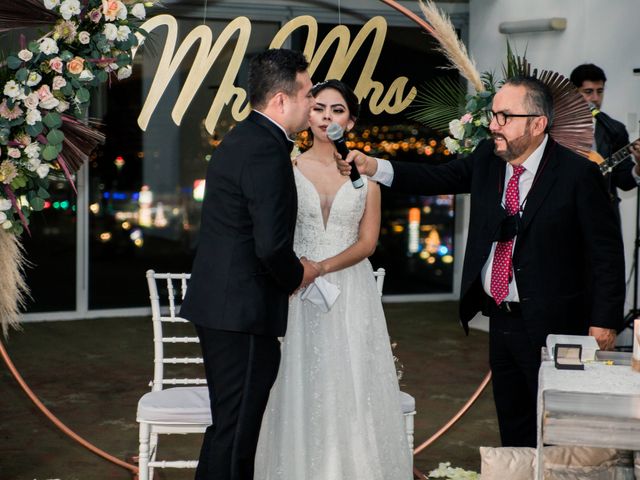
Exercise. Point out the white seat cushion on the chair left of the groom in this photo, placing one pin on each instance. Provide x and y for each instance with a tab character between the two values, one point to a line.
176	405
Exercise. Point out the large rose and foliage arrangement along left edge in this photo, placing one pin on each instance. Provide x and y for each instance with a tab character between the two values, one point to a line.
45	90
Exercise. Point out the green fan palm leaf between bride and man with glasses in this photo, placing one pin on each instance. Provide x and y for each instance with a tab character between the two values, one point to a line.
440	100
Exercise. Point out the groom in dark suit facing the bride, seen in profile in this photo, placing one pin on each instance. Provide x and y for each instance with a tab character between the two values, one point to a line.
245	267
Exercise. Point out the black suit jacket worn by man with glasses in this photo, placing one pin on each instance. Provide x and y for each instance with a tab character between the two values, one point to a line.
568	257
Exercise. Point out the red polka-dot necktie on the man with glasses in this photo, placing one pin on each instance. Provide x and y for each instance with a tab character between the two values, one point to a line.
501	269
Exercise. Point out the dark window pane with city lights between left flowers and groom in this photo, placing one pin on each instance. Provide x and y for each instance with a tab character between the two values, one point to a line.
146	187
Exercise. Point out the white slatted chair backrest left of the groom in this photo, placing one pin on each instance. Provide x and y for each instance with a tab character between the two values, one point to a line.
172	333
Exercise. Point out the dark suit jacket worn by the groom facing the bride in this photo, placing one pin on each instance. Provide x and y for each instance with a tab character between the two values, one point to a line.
245	267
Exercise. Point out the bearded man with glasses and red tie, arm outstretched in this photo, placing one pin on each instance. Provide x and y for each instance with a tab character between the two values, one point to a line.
540	226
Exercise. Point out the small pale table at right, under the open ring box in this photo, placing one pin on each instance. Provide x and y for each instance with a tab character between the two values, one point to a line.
596	407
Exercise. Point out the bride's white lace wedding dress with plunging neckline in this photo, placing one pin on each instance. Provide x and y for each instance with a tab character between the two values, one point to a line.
334	411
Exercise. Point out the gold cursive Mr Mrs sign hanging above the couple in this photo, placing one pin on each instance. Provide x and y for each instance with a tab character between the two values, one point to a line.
393	100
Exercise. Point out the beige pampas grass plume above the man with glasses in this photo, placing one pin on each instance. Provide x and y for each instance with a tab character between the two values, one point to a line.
450	45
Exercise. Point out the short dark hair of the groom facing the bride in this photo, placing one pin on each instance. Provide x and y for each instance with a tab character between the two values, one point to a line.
274	71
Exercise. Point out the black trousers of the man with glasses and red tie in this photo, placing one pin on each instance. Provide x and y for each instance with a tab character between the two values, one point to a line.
514	362
